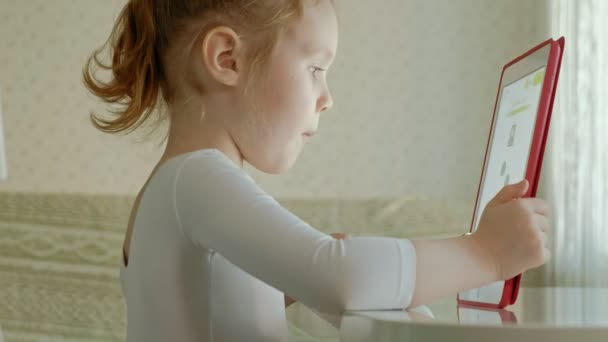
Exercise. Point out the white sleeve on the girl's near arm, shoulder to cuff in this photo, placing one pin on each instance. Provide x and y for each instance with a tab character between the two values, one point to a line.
220	208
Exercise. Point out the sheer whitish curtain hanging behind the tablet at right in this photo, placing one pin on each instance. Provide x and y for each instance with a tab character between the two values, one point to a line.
577	152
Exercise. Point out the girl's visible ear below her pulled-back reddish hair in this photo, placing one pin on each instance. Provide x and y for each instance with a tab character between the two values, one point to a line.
221	50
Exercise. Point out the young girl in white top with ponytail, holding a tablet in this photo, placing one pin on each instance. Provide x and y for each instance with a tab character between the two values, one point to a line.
208	255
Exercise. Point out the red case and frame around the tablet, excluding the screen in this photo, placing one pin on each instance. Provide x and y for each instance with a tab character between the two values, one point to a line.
537	149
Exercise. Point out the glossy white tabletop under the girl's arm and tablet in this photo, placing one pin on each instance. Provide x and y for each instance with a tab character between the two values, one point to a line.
540	314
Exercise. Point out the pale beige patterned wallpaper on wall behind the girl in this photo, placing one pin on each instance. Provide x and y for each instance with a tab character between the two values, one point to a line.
414	84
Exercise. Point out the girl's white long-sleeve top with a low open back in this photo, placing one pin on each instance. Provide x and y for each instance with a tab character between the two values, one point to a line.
212	254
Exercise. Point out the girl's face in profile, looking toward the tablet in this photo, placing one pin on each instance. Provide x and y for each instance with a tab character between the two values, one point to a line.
293	93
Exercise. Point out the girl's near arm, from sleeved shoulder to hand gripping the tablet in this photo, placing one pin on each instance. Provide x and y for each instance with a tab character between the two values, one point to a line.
219	207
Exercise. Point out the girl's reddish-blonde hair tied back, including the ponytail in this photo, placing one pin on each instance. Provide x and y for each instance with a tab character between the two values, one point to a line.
147	30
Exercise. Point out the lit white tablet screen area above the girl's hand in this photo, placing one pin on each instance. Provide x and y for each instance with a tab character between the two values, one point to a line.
512	136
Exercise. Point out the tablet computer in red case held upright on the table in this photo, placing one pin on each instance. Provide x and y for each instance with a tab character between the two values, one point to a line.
516	145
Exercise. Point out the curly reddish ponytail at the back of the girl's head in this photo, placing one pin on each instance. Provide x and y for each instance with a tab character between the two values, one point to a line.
137	73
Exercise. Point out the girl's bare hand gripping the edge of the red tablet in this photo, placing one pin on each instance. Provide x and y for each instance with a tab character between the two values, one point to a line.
513	231
